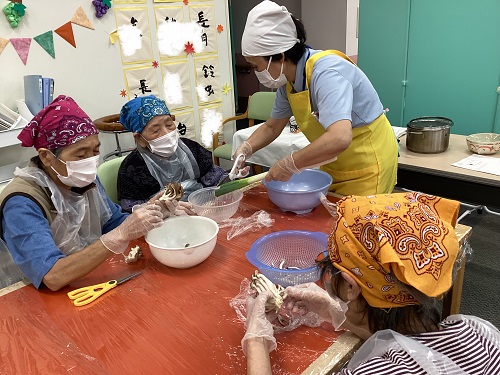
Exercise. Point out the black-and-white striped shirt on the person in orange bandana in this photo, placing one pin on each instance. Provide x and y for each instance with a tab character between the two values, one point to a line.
470	343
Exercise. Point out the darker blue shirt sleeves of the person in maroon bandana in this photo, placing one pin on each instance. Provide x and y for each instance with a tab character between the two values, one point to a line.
27	234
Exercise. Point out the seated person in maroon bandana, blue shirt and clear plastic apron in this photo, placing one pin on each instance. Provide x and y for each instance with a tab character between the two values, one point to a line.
56	220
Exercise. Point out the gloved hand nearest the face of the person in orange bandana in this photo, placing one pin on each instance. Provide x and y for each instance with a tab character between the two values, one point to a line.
310	297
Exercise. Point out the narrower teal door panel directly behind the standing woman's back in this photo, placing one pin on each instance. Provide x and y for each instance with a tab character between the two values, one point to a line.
382	50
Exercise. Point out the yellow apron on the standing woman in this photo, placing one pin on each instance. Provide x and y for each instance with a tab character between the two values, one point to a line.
369	165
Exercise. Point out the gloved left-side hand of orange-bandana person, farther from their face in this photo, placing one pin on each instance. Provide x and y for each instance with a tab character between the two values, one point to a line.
257	324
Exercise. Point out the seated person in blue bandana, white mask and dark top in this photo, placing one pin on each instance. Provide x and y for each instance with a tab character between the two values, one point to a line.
161	156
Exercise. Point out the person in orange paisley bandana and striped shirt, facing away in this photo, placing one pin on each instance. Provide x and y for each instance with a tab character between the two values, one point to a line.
391	258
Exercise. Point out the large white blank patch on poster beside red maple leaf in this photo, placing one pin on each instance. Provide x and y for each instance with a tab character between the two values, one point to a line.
173	37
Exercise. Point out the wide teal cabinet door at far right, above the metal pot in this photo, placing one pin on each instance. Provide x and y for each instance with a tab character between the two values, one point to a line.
454	62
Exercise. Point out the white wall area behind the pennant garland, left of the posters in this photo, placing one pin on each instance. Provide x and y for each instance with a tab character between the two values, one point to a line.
90	73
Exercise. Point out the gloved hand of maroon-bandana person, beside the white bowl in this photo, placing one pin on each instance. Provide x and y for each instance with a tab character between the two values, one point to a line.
137	224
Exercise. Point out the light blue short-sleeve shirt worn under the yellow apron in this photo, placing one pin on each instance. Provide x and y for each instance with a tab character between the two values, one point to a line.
339	91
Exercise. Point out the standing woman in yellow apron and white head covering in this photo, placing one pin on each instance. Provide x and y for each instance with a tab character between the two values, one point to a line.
334	104
